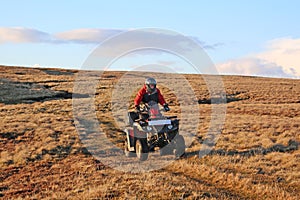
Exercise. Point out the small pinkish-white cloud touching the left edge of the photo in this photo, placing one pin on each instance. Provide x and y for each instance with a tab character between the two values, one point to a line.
23	35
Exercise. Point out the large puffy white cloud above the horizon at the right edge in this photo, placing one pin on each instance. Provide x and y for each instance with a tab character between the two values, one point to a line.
280	59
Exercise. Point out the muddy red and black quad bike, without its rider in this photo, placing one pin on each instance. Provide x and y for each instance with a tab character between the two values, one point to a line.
148	130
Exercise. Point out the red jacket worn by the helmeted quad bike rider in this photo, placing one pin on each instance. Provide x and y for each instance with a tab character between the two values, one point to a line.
145	96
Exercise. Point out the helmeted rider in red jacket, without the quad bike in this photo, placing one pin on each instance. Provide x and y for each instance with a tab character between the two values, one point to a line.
149	93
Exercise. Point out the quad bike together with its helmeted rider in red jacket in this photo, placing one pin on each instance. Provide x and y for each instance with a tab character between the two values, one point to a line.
148	129
